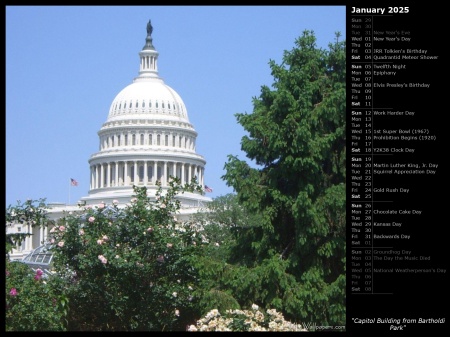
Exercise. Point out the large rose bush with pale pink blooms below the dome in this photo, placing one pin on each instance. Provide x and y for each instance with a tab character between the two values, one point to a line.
130	269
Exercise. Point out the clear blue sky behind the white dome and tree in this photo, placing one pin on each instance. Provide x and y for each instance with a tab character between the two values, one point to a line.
66	64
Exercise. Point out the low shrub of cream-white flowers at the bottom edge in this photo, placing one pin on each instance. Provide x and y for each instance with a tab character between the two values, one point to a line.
245	320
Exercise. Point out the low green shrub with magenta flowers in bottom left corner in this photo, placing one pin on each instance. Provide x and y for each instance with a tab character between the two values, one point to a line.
32	302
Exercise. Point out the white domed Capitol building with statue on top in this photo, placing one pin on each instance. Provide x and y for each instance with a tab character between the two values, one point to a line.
146	138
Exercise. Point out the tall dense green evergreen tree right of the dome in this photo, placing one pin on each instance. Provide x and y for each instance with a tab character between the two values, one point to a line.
297	138
